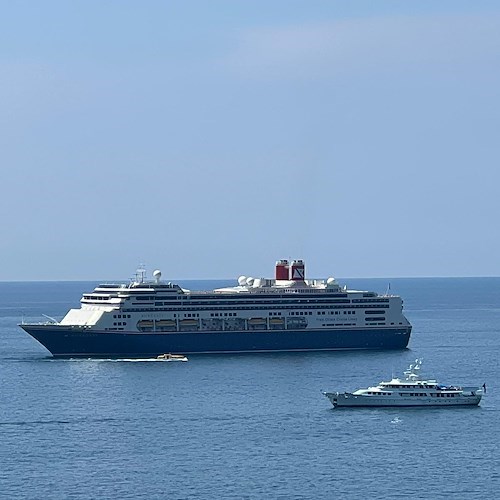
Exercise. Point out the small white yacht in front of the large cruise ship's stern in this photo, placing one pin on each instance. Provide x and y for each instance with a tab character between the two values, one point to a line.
409	391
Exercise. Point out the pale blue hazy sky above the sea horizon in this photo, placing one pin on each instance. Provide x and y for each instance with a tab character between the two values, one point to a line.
210	138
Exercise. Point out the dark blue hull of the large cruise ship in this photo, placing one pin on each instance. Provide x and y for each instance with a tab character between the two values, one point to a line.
64	341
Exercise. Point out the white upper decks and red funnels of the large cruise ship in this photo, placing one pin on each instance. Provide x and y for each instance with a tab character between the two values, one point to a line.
254	304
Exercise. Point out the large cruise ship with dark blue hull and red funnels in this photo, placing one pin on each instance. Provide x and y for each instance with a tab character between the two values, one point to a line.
145	318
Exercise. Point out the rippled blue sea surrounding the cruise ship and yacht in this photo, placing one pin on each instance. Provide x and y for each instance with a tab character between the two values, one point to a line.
251	426
